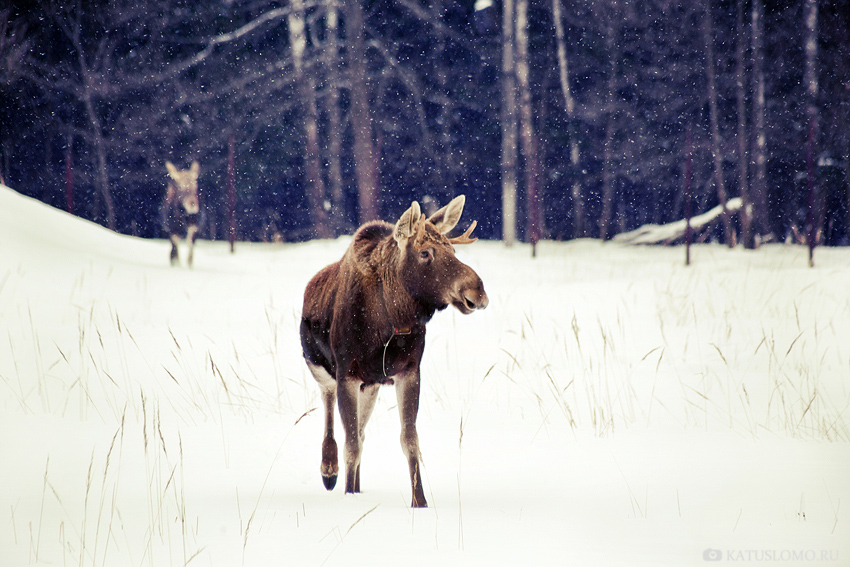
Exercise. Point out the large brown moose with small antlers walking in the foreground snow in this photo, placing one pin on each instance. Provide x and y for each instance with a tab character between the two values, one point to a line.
363	325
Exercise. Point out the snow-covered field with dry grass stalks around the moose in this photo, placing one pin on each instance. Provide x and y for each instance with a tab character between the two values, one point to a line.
610	407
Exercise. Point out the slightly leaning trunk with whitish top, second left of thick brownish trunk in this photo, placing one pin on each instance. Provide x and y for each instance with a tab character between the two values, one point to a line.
315	185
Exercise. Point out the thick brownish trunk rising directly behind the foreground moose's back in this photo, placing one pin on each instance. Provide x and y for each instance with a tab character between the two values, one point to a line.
365	162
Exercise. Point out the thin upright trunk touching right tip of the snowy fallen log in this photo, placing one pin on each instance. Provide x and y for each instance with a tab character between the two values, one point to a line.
745	215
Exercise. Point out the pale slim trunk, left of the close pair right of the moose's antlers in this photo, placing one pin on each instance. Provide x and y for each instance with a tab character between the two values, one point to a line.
509	126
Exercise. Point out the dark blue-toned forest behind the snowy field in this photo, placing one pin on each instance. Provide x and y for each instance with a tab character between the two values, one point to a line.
580	116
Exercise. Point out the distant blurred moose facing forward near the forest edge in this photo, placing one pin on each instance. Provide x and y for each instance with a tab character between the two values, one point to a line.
181	211
